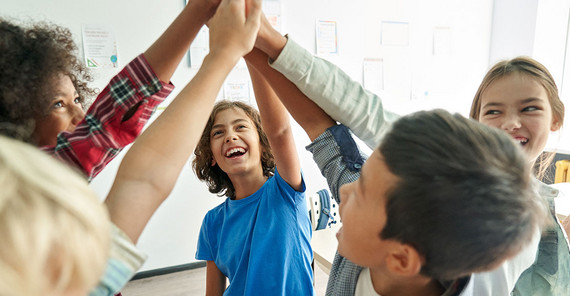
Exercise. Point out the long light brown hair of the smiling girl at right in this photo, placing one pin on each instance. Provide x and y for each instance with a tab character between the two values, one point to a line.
538	72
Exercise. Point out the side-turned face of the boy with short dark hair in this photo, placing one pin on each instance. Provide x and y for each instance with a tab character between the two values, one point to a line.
363	213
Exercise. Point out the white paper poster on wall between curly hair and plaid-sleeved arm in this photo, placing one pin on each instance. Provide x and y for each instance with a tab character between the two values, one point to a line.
100	46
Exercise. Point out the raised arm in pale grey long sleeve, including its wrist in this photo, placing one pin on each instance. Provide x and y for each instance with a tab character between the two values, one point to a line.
344	99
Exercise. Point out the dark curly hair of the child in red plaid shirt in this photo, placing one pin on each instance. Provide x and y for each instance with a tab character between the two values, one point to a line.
31	59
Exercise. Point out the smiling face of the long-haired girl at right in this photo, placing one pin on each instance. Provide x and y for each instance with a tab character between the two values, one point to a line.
519	105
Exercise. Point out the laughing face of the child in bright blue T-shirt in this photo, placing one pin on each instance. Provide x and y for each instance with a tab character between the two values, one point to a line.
234	142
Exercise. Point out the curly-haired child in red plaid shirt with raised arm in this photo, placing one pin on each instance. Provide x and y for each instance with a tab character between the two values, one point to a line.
43	89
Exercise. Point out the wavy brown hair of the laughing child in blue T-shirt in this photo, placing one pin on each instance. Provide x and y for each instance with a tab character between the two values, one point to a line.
217	180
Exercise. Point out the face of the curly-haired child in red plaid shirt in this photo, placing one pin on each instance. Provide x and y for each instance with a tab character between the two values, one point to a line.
64	114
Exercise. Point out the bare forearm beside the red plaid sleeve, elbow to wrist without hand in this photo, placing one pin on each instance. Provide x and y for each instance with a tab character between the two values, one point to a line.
152	165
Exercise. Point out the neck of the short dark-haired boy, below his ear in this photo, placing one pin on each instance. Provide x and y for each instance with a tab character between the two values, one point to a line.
389	284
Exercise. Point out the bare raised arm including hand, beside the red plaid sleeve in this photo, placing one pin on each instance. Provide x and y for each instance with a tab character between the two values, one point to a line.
152	165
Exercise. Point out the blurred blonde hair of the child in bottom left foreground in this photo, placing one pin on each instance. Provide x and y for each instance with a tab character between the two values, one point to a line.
55	233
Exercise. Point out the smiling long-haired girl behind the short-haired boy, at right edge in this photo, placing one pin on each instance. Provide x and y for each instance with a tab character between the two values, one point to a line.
520	97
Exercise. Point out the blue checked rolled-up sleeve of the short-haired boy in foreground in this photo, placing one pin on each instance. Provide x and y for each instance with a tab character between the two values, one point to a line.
338	157
